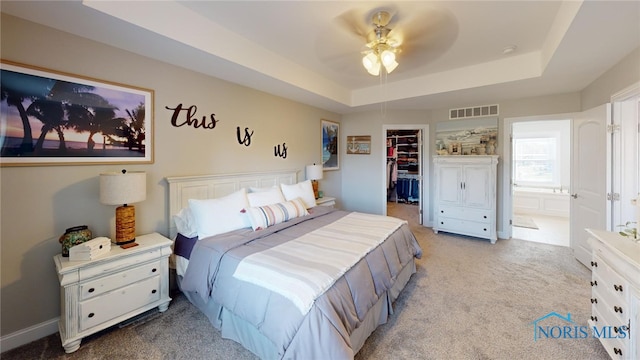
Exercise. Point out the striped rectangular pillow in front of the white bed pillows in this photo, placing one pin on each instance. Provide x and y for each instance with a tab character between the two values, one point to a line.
262	217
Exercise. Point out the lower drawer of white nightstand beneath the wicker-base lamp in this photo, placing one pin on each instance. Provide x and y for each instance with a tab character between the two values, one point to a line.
119	302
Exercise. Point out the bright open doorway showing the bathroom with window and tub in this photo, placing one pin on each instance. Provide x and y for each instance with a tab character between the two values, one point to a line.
541	178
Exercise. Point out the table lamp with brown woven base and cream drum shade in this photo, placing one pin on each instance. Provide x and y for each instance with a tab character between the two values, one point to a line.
123	189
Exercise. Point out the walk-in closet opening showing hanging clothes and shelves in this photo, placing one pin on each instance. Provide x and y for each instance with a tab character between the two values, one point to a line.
404	173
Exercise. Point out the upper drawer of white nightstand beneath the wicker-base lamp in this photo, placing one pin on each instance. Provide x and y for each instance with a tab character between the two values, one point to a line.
105	284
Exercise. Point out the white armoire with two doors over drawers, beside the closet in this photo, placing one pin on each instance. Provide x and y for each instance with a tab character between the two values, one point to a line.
465	195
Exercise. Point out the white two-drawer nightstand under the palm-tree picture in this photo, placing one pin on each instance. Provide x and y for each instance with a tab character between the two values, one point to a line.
99	293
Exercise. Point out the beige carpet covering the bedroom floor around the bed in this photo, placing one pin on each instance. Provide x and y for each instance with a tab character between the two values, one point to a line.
468	300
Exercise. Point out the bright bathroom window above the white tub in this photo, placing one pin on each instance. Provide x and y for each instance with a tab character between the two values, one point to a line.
535	162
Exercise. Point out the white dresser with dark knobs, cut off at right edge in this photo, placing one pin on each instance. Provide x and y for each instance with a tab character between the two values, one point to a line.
615	293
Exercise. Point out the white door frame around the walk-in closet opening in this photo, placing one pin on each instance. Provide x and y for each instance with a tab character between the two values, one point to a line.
424	166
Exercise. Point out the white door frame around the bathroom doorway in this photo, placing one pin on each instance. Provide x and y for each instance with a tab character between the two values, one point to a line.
507	180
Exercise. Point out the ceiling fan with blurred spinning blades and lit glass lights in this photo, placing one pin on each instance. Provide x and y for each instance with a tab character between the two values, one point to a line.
413	33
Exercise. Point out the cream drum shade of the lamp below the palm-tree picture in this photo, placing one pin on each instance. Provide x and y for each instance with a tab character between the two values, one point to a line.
123	188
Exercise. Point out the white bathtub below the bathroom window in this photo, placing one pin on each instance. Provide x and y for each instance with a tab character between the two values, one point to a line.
542	201
